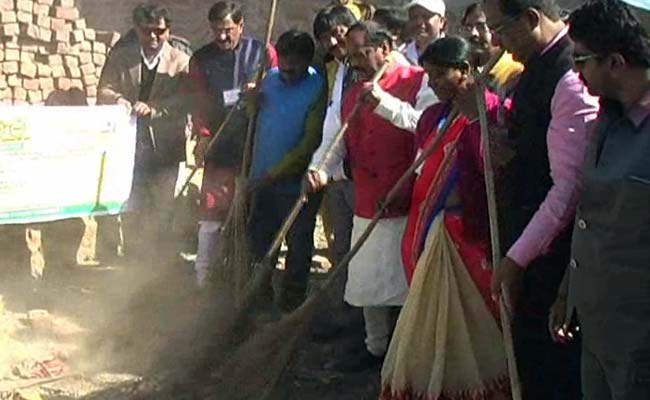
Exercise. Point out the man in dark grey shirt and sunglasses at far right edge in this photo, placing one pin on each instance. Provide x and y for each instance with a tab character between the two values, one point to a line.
609	278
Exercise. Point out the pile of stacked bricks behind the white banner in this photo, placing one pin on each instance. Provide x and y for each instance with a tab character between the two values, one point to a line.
46	45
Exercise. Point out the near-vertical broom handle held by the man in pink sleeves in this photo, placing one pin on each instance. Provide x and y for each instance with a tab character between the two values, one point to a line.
515	384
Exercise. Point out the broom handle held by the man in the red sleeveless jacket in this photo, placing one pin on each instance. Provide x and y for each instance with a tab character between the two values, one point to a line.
302	199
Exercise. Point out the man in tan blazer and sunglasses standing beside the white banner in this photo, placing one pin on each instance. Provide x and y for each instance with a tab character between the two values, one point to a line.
145	77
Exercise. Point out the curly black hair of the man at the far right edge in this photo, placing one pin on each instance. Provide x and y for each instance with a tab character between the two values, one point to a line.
609	26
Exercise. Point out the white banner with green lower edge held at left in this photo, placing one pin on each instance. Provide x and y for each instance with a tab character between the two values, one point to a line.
64	162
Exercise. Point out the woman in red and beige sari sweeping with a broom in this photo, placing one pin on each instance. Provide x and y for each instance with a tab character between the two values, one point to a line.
447	343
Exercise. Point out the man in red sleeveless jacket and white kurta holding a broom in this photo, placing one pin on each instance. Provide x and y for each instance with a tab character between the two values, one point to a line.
380	148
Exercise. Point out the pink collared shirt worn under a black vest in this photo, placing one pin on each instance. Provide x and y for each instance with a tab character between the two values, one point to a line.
573	109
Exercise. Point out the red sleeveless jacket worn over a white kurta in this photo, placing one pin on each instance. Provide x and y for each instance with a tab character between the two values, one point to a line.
379	152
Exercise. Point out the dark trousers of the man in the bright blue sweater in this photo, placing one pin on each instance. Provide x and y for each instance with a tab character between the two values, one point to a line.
270	207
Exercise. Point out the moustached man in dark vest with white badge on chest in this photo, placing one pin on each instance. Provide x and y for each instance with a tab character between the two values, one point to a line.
218	72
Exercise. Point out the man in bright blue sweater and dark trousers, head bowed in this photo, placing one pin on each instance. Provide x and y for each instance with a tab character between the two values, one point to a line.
292	105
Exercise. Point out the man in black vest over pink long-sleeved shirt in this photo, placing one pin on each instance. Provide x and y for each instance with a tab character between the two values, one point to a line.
548	129
